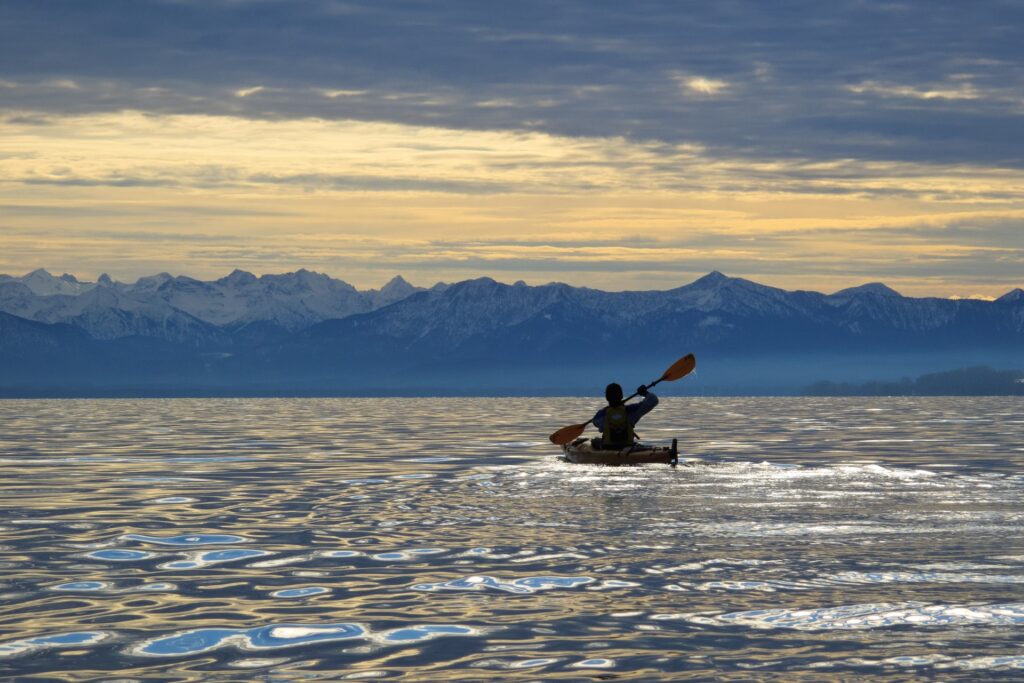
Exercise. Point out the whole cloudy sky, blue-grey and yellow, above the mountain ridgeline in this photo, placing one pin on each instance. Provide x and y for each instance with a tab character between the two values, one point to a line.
616	145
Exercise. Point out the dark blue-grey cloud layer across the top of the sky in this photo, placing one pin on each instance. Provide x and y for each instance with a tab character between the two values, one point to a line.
907	81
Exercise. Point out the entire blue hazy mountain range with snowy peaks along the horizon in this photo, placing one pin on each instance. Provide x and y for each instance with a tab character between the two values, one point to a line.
307	333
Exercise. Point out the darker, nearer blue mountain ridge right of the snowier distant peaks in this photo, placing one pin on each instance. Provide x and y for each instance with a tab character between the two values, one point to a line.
486	324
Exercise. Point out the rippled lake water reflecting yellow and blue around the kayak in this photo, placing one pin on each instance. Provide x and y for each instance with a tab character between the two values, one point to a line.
443	540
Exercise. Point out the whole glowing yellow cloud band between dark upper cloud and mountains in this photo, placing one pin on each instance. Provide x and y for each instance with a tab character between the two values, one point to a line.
204	194
